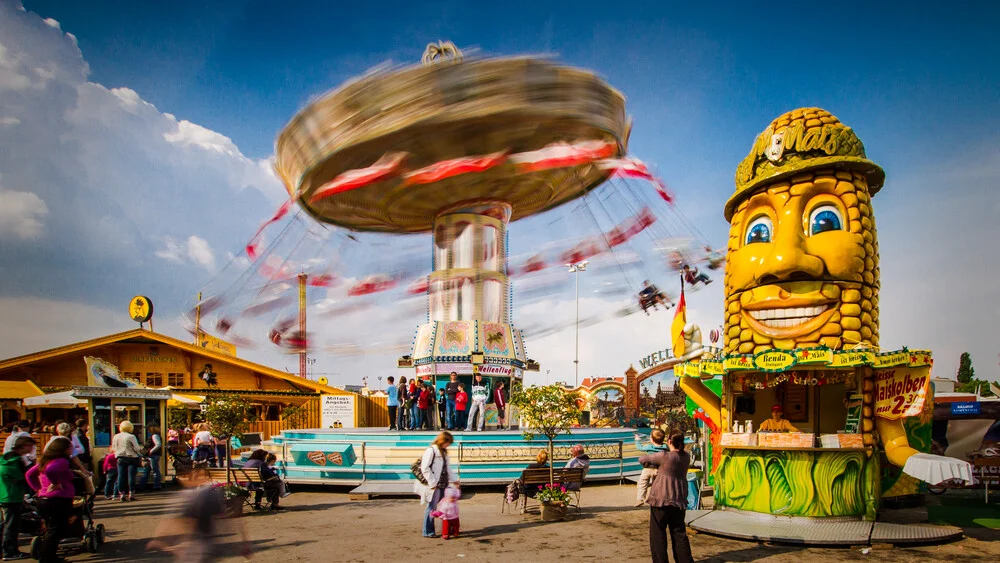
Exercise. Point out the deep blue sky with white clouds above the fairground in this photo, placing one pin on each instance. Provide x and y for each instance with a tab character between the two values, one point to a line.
918	81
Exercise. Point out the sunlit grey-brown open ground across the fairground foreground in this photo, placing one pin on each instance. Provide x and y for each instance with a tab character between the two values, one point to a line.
324	525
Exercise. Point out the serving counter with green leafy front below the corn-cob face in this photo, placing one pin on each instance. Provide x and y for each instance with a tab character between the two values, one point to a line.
830	466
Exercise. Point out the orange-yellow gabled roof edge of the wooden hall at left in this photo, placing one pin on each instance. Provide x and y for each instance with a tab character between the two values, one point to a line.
146	335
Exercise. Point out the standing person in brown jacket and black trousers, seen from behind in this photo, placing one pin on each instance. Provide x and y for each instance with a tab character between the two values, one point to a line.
667	502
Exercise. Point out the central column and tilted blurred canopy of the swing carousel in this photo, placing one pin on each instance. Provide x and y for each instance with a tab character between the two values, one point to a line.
459	148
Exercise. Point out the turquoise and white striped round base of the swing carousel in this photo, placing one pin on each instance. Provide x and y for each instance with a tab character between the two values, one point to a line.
371	457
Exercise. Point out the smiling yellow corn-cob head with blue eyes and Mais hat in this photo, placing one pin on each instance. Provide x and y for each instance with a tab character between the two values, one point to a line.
802	262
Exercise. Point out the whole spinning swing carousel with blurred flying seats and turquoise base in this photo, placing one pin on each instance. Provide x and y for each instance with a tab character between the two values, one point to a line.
405	186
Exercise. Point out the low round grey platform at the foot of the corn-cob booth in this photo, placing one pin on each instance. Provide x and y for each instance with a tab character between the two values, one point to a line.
815	531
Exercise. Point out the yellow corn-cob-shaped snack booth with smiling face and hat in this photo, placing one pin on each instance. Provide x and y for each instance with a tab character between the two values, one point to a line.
814	419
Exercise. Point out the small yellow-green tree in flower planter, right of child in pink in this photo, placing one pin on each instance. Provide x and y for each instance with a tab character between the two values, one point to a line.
549	411
